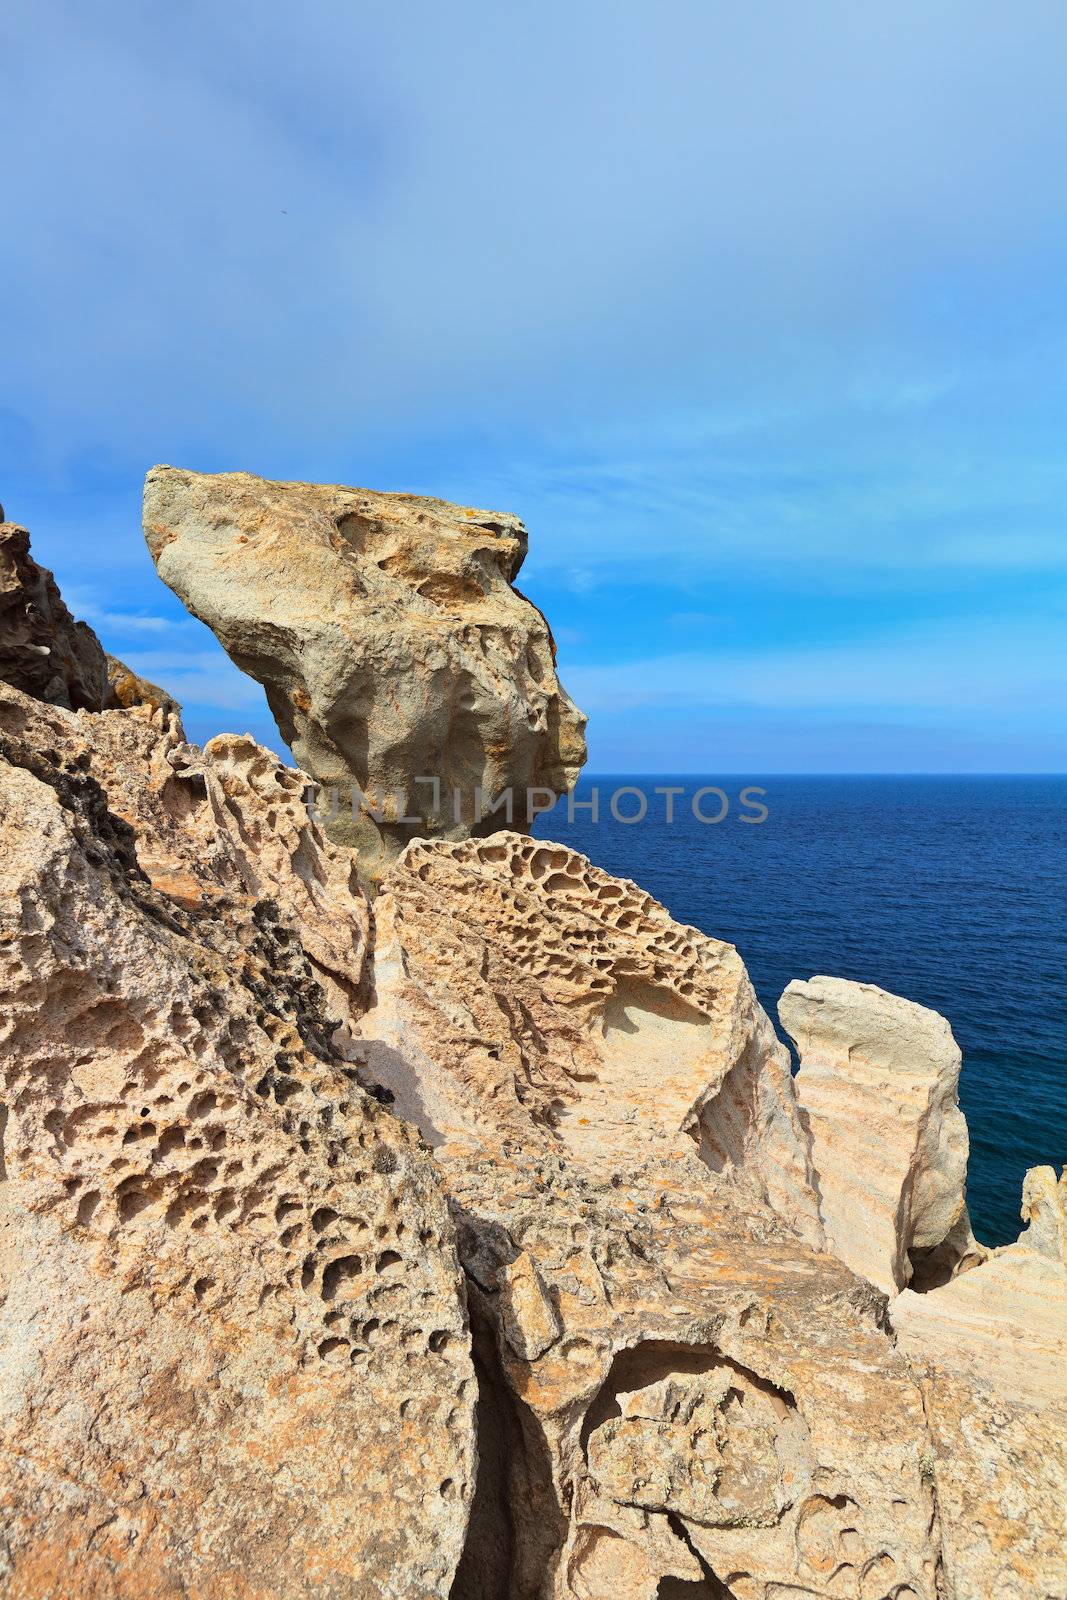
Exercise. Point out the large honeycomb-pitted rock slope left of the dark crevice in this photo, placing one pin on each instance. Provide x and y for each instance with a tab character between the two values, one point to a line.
234	1356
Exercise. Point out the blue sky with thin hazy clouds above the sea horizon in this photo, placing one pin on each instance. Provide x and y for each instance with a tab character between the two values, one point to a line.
753	311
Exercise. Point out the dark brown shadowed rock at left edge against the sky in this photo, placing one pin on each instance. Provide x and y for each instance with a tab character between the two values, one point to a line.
44	652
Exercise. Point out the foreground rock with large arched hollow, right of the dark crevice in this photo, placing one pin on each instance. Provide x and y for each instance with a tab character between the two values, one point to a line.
722	1407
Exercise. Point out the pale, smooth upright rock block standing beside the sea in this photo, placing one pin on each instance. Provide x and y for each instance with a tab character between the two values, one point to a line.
877	1089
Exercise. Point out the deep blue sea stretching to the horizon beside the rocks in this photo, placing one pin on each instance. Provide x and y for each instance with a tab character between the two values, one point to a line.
948	890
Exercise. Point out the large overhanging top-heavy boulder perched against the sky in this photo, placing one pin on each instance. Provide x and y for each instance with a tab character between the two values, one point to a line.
399	660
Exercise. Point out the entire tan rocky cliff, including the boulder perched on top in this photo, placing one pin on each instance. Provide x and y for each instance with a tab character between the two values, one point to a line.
417	1210
